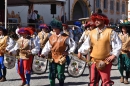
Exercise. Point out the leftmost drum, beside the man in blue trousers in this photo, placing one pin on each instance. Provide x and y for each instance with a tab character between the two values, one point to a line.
9	61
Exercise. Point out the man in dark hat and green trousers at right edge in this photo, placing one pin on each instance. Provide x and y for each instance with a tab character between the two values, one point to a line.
124	58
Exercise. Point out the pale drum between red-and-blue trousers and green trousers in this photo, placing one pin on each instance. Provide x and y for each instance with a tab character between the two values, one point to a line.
39	65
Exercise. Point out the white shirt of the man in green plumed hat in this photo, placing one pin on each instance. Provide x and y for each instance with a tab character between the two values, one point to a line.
70	42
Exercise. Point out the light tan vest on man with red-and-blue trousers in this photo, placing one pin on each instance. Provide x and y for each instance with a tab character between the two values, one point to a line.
24	46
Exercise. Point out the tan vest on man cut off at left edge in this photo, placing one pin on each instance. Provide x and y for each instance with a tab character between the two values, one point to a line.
3	45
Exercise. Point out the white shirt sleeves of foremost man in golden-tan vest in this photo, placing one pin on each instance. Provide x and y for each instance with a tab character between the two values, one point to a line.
115	42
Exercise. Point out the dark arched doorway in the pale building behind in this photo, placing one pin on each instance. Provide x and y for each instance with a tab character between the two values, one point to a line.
84	9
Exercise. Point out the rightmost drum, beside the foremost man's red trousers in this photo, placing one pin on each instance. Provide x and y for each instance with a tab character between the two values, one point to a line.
76	66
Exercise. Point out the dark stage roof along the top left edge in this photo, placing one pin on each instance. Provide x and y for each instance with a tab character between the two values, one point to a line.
26	2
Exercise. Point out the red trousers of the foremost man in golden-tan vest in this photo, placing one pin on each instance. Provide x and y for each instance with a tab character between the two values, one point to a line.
96	75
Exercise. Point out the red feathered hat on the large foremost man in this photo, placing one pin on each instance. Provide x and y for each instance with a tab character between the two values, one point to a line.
100	15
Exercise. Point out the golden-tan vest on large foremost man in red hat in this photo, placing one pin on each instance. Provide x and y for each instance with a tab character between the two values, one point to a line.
100	48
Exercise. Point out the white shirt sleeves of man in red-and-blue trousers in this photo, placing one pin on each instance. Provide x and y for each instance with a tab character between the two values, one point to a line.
35	50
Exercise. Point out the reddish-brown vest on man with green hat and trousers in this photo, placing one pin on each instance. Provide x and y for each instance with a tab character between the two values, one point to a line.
58	46
